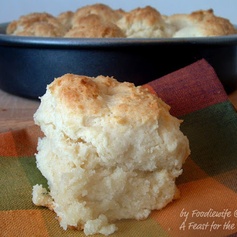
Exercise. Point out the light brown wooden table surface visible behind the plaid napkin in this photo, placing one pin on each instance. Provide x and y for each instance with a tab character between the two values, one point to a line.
17	112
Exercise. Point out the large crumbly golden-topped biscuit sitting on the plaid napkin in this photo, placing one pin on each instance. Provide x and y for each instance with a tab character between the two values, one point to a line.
111	151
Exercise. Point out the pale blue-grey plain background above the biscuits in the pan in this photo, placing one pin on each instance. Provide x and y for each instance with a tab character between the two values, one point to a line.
13	9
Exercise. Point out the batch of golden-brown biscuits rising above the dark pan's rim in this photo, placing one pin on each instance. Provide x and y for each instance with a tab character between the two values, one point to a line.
101	21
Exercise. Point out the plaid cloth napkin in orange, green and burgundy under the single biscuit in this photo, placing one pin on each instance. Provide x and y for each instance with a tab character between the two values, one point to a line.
208	185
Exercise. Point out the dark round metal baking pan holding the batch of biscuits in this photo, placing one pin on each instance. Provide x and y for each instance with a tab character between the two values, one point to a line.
28	64
